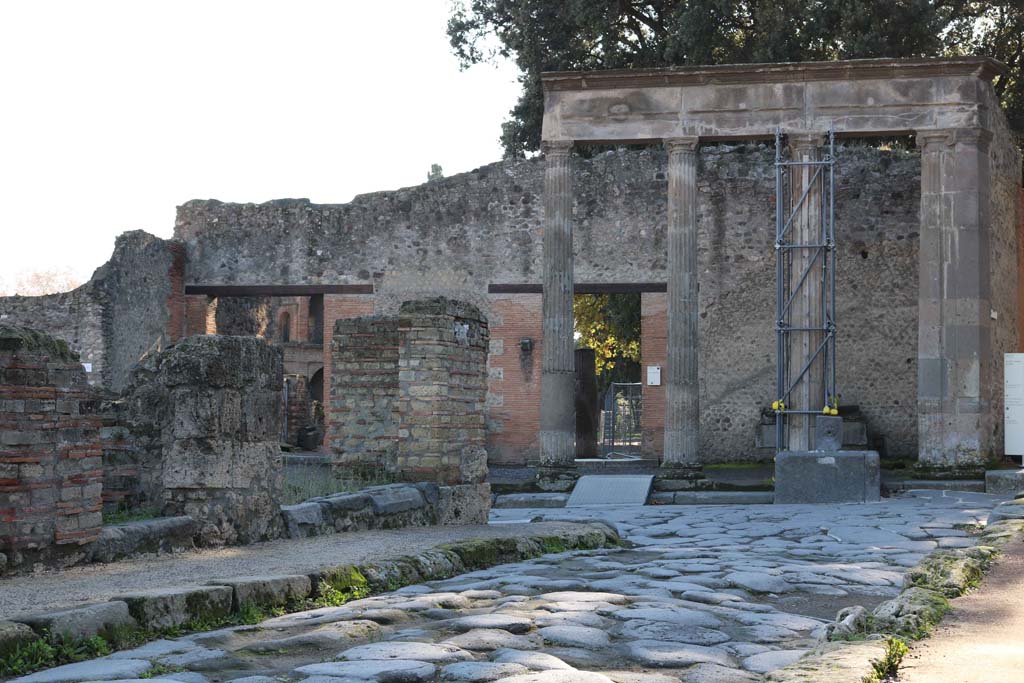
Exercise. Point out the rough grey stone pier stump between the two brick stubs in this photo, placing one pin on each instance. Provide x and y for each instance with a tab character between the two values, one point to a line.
207	413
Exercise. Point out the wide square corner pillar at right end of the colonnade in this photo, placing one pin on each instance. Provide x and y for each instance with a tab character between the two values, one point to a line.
954	363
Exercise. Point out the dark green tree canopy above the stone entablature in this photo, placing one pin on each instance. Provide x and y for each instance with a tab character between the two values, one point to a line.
553	35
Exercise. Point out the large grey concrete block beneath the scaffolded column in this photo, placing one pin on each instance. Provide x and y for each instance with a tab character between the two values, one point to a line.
827	477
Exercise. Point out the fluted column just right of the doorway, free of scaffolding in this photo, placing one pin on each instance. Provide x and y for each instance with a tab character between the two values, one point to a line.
682	408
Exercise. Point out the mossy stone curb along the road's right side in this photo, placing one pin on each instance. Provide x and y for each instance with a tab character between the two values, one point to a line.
944	574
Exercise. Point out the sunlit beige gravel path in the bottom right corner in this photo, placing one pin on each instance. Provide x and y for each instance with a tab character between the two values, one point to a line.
985	627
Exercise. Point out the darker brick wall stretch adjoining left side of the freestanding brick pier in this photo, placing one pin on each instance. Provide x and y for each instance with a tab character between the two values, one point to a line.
362	430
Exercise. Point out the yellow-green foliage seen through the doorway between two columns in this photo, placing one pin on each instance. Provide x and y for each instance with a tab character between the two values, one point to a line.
611	326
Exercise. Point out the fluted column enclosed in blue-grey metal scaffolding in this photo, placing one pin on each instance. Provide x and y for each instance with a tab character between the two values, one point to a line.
807	309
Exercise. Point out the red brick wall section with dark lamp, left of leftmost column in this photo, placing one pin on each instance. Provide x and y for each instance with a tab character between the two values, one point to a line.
515	378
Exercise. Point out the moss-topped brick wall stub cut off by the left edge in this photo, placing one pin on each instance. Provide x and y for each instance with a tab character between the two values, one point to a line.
51	472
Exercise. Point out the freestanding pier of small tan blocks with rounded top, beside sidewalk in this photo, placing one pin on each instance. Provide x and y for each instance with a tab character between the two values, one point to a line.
443	385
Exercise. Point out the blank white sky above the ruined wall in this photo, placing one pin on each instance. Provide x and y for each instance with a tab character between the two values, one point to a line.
113	113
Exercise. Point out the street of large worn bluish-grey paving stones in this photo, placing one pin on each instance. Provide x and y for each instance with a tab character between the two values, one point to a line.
708	594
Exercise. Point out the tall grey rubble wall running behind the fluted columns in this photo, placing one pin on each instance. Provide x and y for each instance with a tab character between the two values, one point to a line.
456	236
